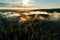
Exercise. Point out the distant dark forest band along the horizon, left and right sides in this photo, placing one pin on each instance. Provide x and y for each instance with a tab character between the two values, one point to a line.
43	10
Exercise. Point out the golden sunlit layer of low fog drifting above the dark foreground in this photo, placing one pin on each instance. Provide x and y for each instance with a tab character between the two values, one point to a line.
25	16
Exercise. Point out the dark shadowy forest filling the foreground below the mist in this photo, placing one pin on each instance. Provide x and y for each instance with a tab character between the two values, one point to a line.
31	30
